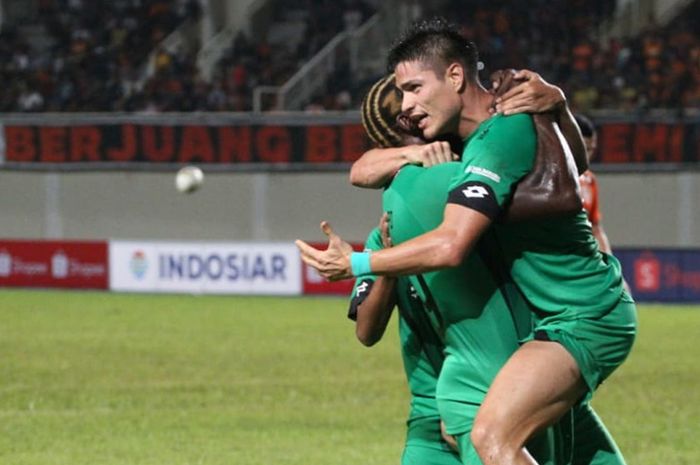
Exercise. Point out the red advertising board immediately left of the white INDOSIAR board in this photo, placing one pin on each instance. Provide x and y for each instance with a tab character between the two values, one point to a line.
62	264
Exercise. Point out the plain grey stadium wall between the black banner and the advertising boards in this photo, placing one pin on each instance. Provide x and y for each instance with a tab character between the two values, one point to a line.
639	209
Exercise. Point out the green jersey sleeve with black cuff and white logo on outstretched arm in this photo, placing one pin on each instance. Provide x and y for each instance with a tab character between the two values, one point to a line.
499	154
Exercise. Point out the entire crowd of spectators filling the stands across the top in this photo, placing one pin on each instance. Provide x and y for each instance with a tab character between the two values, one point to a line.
95	62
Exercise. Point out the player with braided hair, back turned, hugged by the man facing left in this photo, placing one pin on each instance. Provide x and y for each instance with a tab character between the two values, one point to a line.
422	329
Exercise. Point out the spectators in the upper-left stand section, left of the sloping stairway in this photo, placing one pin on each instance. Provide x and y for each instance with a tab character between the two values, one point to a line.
92	57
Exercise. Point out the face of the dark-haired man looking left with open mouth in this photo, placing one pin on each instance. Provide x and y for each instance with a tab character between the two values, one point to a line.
429	99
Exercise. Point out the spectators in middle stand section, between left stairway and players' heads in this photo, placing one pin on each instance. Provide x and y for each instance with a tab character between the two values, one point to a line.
177	84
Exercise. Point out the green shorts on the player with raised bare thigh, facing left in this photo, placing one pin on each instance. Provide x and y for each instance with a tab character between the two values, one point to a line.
599	345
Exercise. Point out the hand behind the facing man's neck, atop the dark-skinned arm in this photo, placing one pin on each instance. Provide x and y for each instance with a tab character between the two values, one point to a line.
532	95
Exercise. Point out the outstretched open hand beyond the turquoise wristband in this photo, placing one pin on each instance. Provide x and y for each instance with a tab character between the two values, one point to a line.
332	263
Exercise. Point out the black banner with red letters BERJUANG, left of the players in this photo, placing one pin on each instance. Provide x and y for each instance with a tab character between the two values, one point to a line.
178	144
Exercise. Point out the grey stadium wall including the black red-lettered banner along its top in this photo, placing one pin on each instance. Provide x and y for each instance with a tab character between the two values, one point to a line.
276	176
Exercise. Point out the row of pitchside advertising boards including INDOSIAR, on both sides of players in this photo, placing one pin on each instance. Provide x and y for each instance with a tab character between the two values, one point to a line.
264	268
